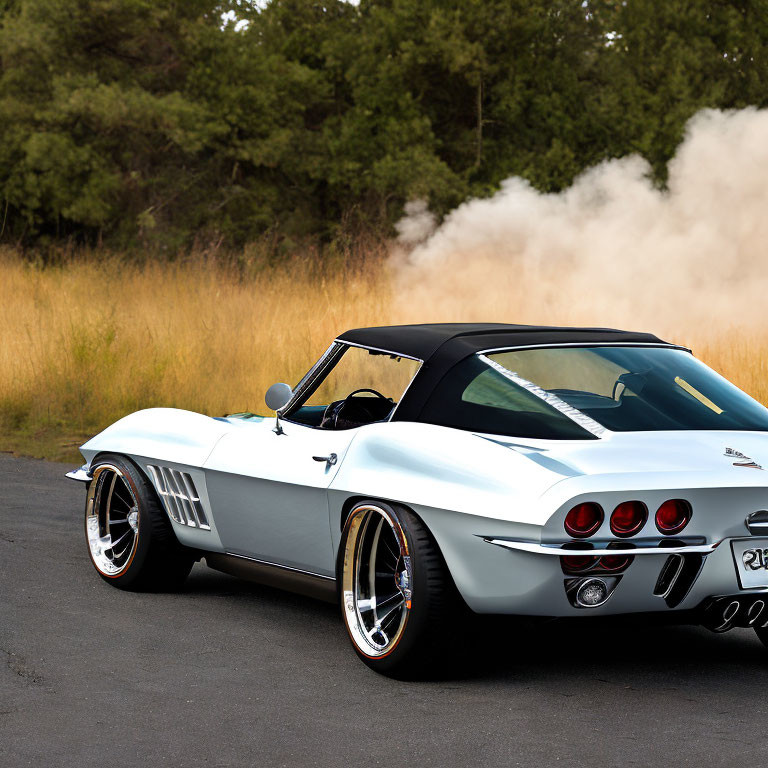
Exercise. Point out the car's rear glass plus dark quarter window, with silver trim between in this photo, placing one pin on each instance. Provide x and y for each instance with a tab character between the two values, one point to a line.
579	392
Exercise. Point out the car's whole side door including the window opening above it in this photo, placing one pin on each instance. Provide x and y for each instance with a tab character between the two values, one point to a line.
269	487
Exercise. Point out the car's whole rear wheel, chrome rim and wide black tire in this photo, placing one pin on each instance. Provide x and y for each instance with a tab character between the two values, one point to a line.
397	597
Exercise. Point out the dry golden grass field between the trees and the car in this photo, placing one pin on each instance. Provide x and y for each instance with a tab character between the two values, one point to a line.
92	339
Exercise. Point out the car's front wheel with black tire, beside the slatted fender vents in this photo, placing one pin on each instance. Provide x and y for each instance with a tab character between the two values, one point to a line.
123	510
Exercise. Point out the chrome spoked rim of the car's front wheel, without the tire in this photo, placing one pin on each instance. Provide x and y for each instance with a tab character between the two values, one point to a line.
111	520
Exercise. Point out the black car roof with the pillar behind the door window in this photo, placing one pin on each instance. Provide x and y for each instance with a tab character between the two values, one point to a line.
443	345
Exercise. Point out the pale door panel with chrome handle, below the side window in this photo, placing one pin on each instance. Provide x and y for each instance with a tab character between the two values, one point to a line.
268	493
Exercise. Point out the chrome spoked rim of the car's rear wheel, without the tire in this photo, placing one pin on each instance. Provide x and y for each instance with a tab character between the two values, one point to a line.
377	580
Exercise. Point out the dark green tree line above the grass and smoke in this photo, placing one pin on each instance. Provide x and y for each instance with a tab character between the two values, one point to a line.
162	123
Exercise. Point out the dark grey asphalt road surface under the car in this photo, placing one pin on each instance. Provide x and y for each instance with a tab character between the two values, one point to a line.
227	673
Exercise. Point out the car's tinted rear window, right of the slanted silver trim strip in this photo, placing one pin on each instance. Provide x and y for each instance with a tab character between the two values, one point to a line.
628	389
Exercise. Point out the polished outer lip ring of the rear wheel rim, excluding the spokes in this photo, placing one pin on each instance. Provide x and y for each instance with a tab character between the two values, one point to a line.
352	536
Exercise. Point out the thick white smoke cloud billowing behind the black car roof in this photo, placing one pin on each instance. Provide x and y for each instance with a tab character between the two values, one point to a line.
613	249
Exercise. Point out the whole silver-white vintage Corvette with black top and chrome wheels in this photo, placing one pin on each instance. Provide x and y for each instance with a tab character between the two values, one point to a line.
420	470
